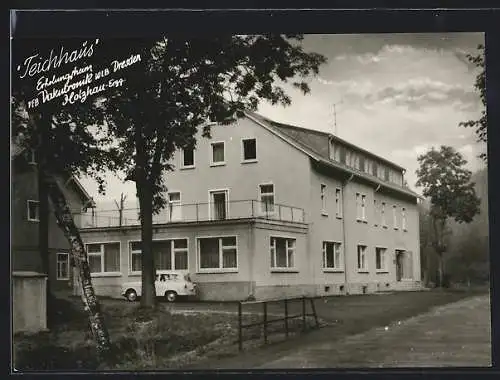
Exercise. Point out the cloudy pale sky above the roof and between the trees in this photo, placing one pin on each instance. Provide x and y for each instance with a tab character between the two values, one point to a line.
396	95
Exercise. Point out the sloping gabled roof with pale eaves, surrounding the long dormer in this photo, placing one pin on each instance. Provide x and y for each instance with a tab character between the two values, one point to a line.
316	145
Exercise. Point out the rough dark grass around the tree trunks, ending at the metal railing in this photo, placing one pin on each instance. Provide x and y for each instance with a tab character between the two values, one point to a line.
141	339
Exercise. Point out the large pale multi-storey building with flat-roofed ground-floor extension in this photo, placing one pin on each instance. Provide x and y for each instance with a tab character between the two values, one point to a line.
268	210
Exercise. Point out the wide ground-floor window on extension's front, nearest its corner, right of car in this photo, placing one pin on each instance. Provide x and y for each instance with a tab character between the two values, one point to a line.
219	253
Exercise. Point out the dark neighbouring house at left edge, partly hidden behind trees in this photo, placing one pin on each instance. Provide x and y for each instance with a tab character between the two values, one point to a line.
25	251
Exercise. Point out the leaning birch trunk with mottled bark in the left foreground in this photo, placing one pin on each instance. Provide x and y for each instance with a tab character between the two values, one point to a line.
90	302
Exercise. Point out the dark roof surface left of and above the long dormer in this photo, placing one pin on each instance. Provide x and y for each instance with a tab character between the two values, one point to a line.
317	140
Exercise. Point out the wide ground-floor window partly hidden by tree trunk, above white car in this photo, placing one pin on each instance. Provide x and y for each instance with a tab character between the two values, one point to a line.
168	254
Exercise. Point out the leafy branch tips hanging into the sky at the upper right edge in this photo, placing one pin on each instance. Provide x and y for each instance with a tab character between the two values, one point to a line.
480	125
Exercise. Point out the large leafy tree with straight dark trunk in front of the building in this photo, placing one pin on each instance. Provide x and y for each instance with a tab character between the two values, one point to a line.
181	84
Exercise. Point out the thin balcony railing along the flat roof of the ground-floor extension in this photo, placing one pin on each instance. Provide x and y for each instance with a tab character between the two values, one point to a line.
196	212
